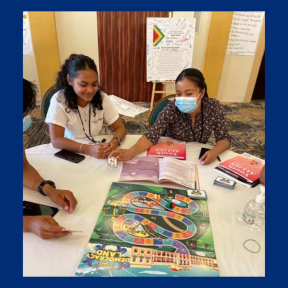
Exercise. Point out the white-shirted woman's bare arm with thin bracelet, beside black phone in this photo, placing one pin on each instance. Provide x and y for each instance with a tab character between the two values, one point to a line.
59	141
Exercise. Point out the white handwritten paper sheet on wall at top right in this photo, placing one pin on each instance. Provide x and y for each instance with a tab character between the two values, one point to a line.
244	33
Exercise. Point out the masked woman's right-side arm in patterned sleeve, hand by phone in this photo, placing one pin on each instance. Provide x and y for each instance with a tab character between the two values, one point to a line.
223	139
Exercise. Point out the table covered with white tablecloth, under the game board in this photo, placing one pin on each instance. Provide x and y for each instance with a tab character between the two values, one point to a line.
90	181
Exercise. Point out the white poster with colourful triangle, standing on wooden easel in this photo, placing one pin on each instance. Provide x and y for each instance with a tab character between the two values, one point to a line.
170	43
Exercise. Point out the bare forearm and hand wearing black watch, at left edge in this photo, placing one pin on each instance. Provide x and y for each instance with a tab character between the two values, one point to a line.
32	179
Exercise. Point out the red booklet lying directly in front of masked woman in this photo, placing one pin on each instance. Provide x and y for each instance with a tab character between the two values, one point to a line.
168	148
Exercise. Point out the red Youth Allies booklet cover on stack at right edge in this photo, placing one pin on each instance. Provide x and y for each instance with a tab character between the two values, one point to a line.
248	167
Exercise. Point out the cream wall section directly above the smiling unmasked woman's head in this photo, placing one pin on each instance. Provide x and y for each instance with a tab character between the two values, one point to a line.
77	33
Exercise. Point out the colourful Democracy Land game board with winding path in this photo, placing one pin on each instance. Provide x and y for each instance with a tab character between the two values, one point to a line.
140	233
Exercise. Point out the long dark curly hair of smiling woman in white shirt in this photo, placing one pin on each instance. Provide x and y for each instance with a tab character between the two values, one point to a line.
71	66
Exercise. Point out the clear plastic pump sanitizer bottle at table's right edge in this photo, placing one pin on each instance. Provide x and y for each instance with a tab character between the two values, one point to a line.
254	212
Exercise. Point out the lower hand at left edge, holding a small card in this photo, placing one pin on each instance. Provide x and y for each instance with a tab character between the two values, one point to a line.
44	226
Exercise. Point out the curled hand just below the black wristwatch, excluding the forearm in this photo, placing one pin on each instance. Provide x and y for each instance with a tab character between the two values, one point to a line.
64	198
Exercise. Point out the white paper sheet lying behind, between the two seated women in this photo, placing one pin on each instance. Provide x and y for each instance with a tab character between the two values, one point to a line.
126	108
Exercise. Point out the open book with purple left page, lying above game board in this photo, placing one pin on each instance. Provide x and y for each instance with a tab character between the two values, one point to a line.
160	170
